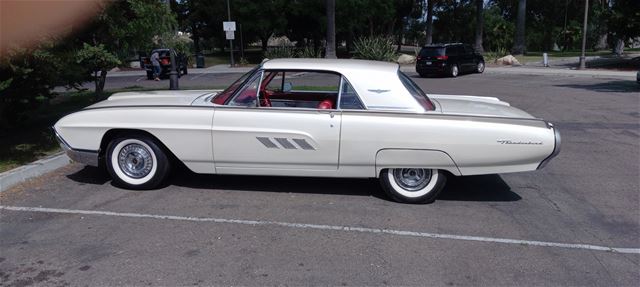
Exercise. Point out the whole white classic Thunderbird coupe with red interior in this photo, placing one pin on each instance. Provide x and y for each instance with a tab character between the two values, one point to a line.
310	117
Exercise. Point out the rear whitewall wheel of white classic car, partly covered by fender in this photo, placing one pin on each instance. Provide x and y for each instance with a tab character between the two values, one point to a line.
412	185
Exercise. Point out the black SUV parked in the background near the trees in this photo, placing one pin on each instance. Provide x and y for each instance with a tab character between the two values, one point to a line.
448	59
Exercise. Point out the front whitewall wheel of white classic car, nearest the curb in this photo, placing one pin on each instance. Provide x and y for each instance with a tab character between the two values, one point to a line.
136	162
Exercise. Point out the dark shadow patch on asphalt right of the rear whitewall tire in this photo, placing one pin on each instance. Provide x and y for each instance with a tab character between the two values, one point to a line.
478	188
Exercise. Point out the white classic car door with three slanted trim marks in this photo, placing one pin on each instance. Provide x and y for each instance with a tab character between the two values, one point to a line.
249	136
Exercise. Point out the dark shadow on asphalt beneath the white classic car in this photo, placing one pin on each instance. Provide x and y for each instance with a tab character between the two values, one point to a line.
465	188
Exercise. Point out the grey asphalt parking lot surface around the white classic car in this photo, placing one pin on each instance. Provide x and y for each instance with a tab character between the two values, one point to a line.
576	222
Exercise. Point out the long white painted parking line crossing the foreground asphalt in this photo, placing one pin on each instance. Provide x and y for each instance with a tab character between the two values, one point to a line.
330	227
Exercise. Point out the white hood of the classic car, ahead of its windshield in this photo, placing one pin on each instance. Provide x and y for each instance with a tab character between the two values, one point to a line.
152	98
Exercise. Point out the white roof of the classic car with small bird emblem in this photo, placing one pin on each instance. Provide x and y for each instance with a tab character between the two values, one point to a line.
377	83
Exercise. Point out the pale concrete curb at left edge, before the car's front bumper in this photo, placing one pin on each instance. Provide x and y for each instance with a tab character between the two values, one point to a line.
37	168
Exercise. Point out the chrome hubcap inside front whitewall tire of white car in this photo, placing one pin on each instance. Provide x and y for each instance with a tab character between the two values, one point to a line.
135	160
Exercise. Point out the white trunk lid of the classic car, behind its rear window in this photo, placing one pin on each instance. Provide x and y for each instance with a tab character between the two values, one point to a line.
477	106
